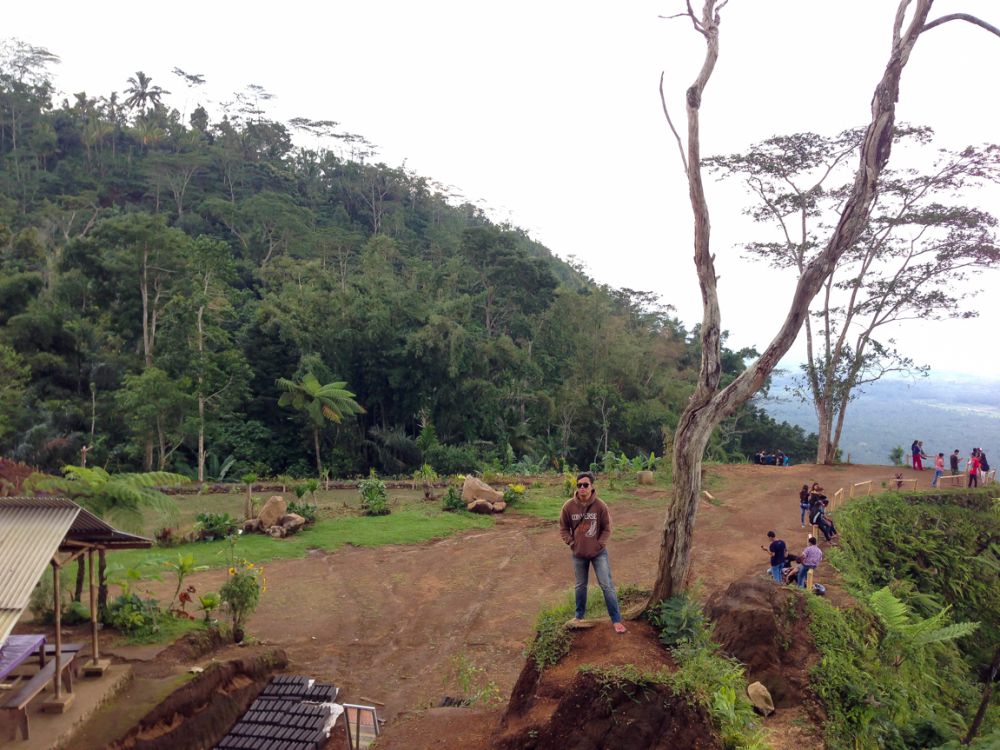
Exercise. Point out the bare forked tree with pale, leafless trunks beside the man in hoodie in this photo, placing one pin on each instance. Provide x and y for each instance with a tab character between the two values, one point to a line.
711	403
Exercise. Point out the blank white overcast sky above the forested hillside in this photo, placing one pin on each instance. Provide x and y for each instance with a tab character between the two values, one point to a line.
548	112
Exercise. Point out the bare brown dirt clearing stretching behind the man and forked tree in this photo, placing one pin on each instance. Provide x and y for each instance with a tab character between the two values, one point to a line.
387	624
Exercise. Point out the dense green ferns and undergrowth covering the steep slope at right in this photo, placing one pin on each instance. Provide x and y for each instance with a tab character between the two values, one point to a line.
896	671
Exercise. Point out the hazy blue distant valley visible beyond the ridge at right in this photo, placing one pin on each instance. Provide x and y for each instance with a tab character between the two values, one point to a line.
946	411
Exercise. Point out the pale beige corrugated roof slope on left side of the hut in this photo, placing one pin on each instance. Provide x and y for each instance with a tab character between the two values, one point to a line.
30	534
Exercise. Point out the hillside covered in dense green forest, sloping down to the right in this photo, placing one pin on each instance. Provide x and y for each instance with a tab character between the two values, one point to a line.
159	274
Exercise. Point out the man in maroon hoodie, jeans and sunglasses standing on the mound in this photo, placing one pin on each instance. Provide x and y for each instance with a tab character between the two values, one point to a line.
585	525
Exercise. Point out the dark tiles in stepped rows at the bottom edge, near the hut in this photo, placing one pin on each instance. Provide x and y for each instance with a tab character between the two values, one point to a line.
291	713
